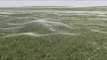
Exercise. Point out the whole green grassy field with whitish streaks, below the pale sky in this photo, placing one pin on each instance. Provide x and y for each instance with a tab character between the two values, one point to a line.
53	33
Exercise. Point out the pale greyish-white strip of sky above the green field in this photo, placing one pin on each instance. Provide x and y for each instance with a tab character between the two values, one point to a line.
52	3
